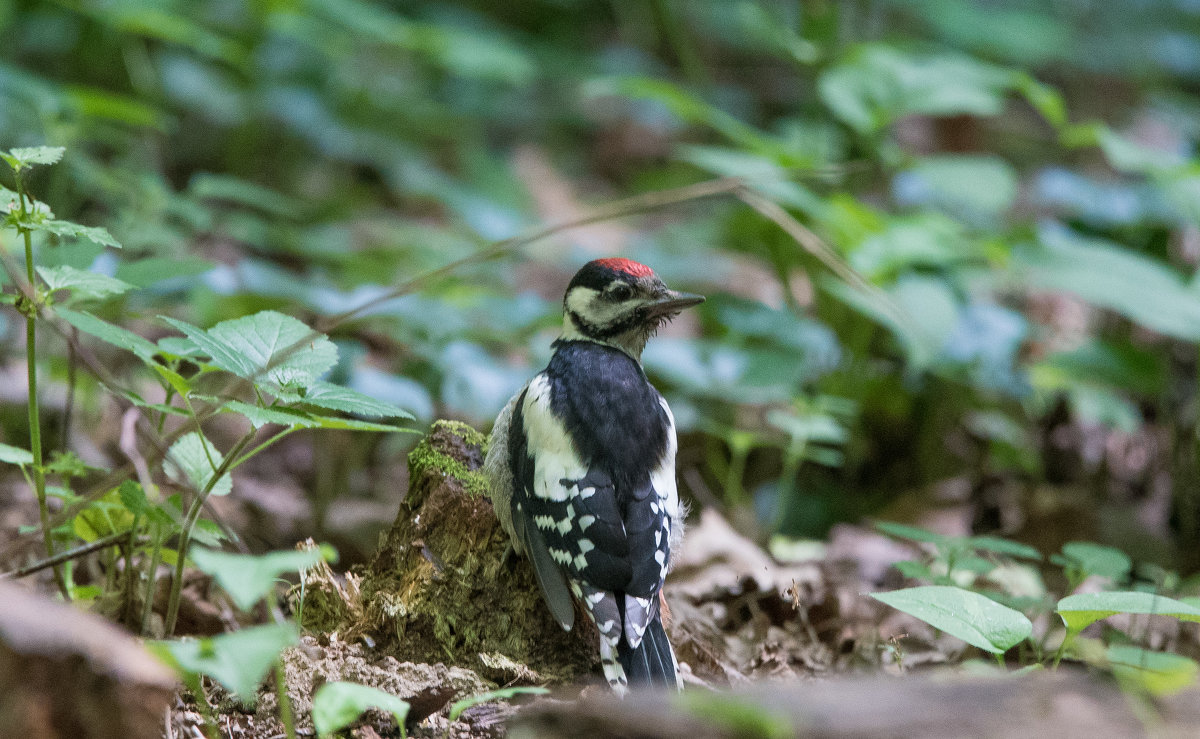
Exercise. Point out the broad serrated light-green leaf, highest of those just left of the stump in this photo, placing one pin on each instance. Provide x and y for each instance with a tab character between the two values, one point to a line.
248	346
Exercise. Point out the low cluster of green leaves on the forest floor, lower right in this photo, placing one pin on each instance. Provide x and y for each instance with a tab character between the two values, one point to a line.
989	592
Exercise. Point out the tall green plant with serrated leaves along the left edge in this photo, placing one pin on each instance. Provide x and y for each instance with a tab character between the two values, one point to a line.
266	368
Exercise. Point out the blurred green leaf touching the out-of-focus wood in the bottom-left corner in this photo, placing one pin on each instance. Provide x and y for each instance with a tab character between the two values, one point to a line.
239	660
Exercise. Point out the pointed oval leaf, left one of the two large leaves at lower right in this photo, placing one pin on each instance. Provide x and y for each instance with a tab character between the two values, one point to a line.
962	614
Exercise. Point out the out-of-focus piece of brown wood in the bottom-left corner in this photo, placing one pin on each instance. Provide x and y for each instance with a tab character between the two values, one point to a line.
68	674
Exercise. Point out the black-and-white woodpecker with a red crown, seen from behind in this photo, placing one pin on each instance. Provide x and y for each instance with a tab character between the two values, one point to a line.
583	471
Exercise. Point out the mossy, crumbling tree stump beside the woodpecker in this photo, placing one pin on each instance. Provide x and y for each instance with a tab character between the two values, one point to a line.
445	586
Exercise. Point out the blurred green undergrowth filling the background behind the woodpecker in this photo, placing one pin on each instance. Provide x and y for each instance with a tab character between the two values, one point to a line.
1011	191
